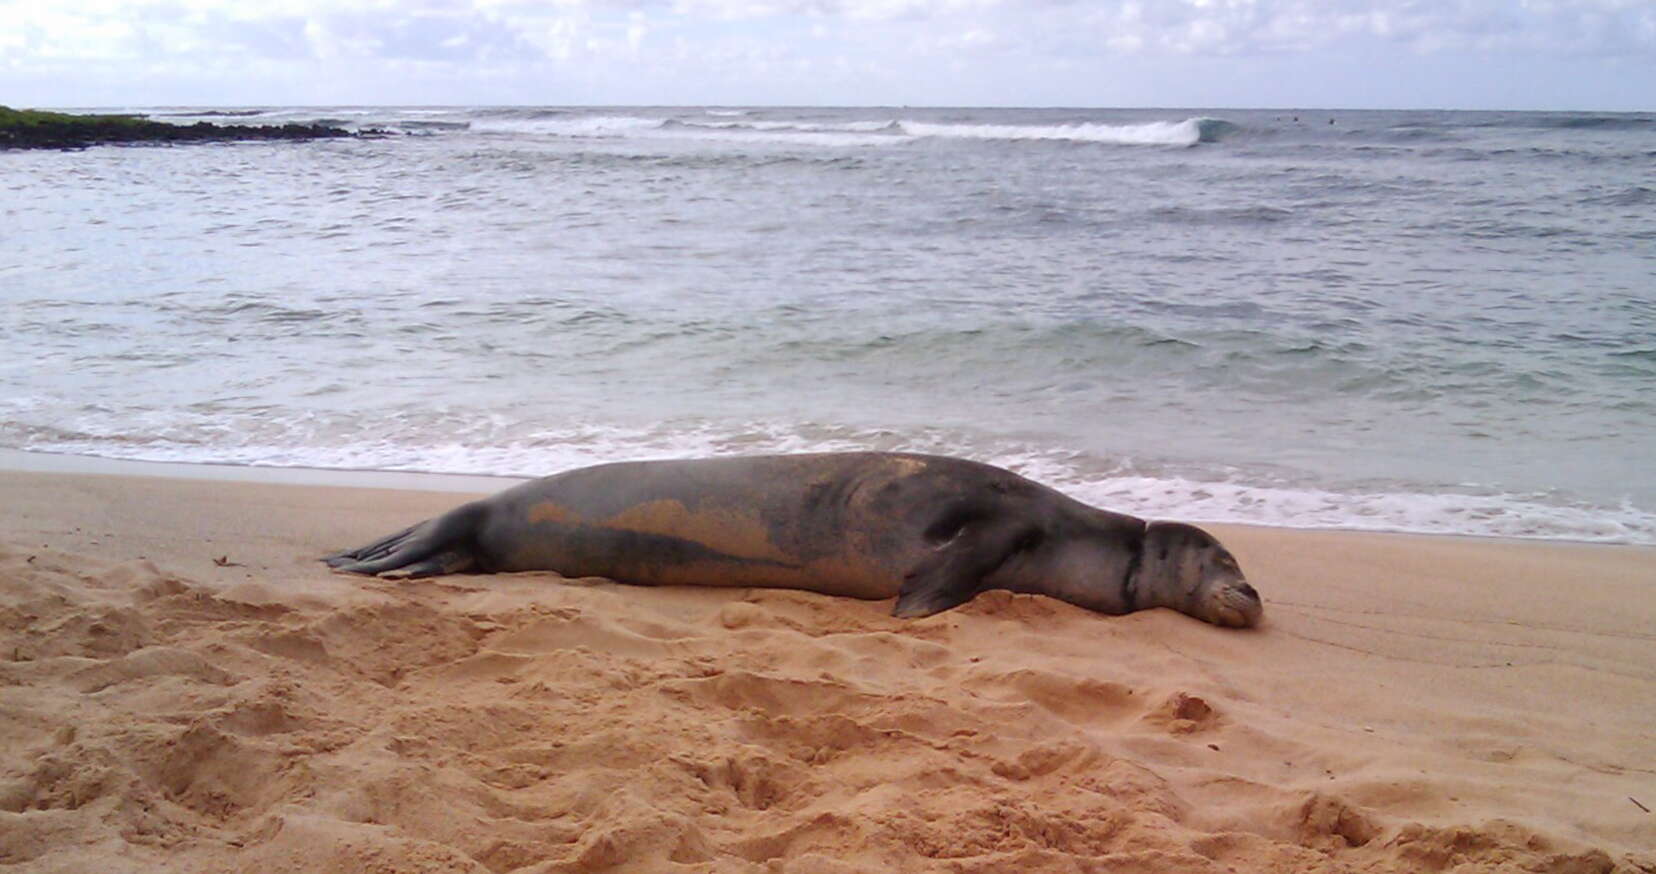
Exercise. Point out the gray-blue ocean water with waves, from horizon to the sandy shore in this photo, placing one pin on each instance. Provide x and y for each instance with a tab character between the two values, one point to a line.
1423	322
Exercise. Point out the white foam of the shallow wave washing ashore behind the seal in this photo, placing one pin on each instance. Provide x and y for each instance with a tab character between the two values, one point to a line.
1122	487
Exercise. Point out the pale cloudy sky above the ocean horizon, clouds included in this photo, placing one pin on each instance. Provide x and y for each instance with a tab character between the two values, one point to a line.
1584	55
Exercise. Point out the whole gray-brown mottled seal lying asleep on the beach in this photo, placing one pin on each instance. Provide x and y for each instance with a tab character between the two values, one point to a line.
925	529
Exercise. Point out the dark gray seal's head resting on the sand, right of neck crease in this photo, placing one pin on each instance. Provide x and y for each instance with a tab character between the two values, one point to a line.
1188	570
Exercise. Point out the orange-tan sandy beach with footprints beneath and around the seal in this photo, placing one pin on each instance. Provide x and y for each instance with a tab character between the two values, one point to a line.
183	688
